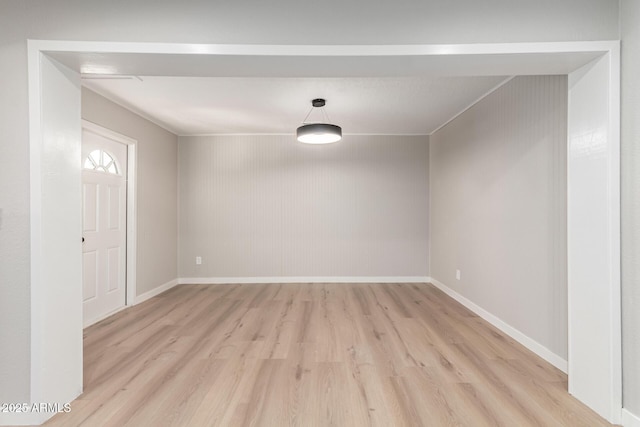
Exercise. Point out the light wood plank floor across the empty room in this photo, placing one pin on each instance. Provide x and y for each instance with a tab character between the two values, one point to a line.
313	355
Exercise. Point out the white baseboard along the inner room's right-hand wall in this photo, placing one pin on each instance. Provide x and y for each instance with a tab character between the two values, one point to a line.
523	339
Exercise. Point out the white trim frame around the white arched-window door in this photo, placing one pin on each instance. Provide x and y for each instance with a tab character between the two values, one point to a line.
131	144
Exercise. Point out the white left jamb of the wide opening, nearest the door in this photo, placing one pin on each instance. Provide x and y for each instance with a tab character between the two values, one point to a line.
56	286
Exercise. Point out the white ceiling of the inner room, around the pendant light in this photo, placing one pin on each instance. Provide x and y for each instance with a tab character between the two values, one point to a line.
227	105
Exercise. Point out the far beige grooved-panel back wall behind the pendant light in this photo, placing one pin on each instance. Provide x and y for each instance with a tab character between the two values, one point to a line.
268	206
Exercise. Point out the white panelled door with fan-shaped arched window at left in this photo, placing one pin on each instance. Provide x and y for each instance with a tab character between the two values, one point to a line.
104	213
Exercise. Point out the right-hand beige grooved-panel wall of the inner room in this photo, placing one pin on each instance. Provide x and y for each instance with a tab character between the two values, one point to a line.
498	207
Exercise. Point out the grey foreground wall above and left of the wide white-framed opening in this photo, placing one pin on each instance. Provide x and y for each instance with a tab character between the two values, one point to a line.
444	21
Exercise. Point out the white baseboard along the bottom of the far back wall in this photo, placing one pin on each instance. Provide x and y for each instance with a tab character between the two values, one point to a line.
305	279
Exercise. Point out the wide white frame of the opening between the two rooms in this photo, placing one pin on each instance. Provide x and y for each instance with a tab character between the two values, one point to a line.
594	276
